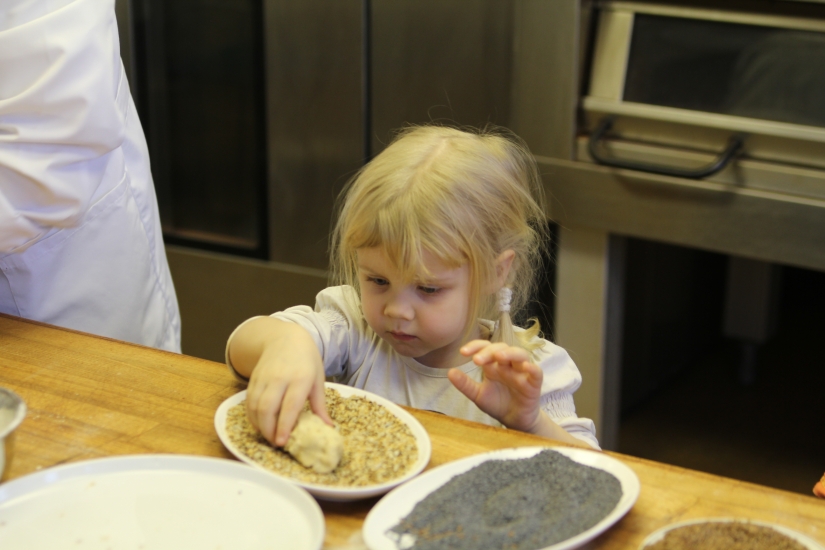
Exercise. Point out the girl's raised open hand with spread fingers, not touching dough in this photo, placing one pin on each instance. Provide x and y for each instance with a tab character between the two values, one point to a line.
511	387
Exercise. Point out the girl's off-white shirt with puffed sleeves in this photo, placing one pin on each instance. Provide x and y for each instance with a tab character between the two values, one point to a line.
355	355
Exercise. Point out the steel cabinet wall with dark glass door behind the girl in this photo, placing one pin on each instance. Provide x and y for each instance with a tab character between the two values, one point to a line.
257	111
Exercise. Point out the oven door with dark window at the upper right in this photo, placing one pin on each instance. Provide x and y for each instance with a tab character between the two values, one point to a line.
692	80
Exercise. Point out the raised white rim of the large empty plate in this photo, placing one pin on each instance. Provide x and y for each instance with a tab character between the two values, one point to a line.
163	462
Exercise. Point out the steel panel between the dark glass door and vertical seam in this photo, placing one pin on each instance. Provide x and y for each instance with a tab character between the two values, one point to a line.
314	120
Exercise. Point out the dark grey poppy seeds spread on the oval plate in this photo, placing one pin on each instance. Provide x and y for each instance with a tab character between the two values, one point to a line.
523	504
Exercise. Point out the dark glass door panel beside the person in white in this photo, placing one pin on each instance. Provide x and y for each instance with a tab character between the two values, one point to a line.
201	105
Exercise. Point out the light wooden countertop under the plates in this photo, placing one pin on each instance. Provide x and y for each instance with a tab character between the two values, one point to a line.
91	397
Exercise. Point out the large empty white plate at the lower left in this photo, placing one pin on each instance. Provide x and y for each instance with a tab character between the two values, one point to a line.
157	502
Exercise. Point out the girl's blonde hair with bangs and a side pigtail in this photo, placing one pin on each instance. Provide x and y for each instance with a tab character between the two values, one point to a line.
465	196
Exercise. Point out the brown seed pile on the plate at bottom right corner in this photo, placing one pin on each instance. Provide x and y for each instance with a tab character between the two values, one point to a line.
715	535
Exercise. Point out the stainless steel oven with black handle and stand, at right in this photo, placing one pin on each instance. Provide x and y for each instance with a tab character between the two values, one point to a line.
685	122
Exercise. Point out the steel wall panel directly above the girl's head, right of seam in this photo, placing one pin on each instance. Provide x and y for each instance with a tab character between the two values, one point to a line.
440	61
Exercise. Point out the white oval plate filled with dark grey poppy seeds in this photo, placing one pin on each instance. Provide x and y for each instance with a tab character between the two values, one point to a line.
528	498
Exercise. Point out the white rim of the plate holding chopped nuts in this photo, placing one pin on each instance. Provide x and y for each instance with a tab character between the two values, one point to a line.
330	492
